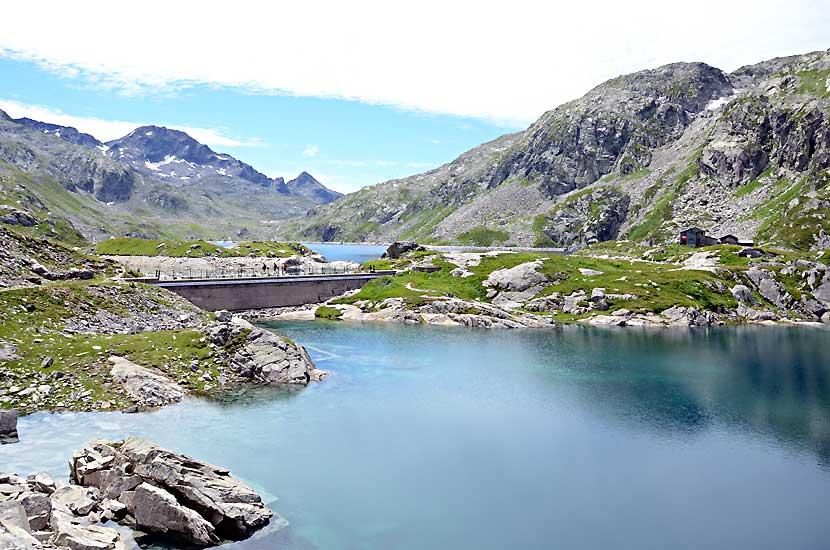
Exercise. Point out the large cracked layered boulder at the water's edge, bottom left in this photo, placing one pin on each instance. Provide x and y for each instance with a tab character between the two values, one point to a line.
169	493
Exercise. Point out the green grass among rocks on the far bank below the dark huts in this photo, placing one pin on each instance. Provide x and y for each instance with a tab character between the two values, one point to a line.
657	282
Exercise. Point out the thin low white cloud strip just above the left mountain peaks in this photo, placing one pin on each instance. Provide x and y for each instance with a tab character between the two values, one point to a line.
106	130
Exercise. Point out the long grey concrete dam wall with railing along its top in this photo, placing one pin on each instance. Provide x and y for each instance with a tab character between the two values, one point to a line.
242	293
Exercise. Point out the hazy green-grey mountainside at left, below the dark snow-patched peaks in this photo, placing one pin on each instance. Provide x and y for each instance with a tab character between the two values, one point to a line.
77	191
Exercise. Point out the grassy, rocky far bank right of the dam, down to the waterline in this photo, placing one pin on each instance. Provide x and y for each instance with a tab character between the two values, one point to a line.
528	293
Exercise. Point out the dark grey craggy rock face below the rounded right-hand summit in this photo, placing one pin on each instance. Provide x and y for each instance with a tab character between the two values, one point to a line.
616	124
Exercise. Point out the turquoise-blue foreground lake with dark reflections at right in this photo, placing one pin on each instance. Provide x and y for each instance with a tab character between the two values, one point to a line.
428	437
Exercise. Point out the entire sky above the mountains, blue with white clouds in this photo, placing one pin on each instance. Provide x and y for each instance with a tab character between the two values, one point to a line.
359	92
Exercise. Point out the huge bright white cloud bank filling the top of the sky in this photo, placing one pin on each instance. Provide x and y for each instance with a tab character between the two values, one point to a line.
465	57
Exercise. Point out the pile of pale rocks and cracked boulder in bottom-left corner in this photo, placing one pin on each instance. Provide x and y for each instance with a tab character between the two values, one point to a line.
122	491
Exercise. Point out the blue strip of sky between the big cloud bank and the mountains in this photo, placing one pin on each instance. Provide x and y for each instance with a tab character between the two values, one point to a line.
345	144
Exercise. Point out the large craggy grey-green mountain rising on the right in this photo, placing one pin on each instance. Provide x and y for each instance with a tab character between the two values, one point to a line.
638	156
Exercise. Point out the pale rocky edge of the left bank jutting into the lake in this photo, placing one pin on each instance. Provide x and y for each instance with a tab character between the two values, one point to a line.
235	353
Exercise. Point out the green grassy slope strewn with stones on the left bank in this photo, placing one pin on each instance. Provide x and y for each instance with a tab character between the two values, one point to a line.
33	320
